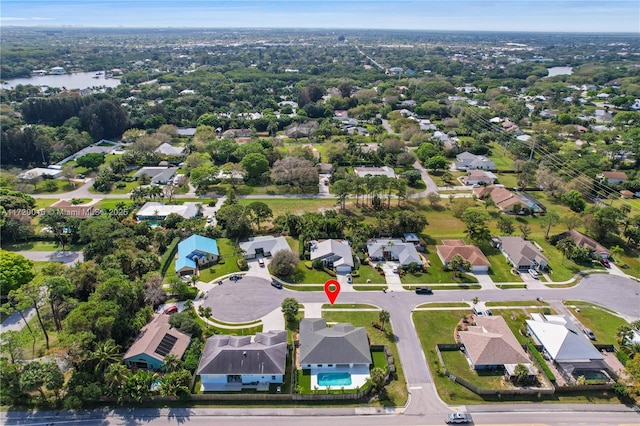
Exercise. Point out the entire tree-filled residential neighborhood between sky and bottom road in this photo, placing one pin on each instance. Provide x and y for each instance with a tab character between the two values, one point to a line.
472	206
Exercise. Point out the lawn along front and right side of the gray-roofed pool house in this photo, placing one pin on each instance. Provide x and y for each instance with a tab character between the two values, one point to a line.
396	392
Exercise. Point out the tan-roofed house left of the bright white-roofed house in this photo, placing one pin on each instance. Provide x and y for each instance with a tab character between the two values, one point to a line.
490	344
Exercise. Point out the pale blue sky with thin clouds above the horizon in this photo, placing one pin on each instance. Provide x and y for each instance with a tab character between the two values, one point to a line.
459	15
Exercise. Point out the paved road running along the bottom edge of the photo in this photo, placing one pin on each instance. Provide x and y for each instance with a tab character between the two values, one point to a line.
586	415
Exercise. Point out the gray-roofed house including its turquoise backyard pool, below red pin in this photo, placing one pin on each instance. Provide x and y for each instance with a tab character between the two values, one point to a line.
325	351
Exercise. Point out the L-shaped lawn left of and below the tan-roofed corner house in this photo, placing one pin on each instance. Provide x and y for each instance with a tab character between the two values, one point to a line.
437	327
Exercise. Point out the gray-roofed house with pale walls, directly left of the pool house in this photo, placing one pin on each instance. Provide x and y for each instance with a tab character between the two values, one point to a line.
231	363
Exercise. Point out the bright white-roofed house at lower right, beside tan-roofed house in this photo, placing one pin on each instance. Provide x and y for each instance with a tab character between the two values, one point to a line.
565	344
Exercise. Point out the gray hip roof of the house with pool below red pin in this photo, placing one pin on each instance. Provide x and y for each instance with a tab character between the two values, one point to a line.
341	344
